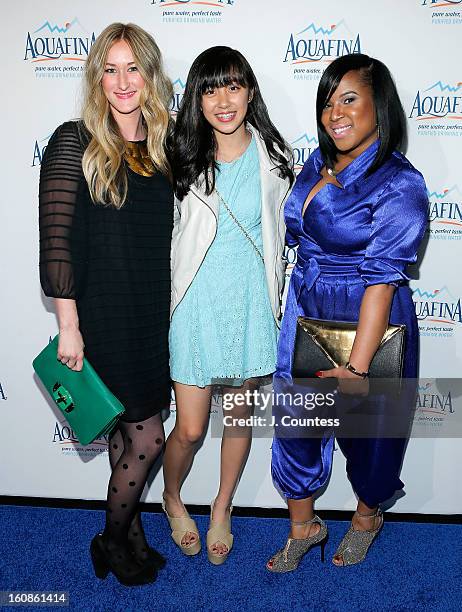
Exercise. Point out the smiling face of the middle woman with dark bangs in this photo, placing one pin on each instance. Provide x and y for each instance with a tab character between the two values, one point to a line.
225	108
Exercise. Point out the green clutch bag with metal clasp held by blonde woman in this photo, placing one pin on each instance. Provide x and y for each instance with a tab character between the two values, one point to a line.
87	404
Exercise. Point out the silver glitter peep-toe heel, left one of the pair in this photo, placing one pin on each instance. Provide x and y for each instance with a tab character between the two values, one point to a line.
288	558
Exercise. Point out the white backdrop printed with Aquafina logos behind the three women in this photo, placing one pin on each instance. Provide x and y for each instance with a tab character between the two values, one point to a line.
289	43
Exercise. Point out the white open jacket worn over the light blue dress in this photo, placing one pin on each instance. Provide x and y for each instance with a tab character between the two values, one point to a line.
195	228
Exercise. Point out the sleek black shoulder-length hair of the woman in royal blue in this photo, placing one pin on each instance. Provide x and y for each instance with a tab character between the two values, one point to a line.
391	119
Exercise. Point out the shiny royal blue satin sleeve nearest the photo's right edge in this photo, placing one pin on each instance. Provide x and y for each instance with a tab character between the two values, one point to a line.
399	219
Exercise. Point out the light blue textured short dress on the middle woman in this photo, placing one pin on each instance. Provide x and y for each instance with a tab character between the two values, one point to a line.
223	331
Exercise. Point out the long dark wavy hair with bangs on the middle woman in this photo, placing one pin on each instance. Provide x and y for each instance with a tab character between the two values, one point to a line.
194	144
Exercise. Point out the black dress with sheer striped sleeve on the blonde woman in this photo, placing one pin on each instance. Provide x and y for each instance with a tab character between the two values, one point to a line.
116	264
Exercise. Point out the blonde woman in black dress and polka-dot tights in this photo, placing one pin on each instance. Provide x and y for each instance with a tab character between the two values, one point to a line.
106	216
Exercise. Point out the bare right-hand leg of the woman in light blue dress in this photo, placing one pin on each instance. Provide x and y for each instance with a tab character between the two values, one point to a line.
235	447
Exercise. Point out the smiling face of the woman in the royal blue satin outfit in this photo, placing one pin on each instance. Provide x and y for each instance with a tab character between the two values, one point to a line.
349	116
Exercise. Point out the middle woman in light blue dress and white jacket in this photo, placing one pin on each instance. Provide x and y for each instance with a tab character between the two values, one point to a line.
232	172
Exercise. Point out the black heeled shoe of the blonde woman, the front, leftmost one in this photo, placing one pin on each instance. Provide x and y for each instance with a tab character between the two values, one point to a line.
134	574
